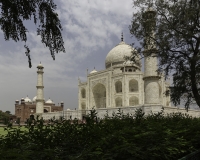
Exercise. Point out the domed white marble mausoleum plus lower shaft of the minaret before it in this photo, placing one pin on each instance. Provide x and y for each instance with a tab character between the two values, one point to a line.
122	83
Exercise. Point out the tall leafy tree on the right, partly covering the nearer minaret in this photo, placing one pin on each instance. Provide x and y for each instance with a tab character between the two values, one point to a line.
177	39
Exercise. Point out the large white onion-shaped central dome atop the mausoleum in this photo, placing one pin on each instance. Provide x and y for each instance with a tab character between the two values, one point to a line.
116	56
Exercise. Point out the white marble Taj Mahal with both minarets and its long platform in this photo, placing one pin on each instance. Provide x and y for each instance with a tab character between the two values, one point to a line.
121	85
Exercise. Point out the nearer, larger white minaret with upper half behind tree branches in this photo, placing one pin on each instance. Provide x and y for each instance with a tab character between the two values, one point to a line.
151	77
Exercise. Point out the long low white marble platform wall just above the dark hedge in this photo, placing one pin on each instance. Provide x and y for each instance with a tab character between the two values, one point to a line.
102	112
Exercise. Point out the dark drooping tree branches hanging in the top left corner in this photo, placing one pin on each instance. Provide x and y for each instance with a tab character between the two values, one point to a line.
15	12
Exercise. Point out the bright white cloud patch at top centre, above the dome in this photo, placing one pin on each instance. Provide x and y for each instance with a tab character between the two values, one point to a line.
91	24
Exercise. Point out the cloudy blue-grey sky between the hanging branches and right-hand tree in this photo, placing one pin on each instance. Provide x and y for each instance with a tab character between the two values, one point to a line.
90	30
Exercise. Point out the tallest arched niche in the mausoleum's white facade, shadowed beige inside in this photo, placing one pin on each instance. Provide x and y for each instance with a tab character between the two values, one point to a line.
99	93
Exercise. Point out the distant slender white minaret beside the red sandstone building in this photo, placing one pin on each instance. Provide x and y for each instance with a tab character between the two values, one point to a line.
40	92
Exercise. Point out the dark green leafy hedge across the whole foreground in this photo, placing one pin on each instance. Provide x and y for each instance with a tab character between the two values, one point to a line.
114	138
